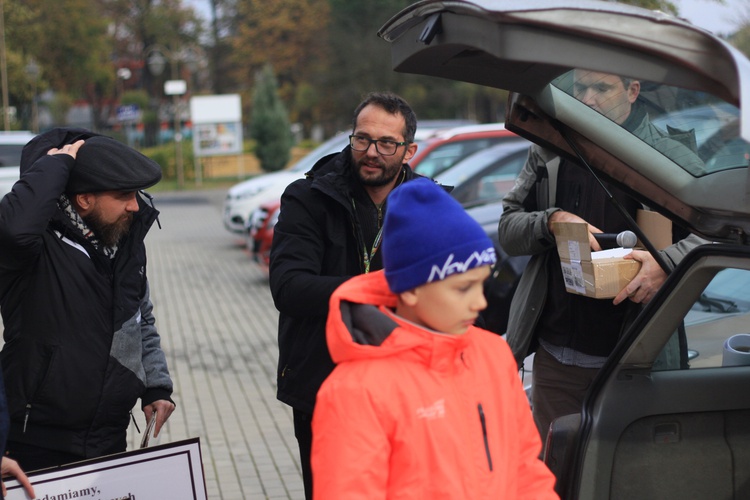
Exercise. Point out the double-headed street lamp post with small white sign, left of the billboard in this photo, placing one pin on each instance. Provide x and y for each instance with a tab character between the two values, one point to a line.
157	61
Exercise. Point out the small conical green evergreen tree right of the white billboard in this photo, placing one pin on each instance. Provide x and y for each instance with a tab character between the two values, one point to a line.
270	124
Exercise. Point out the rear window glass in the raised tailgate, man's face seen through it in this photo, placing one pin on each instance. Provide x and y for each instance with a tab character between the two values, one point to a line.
697	131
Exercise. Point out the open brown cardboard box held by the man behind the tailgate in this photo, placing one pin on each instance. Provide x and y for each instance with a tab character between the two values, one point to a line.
603	274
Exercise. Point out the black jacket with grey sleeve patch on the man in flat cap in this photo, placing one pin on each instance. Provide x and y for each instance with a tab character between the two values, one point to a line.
80	342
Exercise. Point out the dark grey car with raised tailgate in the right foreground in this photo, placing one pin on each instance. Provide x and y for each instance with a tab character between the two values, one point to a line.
651	426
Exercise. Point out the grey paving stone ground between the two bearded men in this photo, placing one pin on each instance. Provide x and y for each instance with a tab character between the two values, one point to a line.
218	325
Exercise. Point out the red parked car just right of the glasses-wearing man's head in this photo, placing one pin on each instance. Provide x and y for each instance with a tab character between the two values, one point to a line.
444	147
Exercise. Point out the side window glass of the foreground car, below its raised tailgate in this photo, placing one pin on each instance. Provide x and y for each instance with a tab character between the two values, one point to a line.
721	312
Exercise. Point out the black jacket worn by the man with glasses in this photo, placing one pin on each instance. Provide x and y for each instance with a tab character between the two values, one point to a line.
316	247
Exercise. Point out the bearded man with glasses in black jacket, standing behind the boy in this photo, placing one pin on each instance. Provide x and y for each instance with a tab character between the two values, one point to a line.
329	230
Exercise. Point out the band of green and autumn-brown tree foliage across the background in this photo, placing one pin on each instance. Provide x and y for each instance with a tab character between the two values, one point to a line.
325	54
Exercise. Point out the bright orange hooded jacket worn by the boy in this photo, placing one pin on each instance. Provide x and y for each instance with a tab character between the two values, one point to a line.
412	414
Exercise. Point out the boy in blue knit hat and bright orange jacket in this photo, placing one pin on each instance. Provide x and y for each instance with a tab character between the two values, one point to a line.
422	404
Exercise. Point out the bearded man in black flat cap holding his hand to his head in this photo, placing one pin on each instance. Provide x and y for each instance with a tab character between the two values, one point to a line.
81	346
